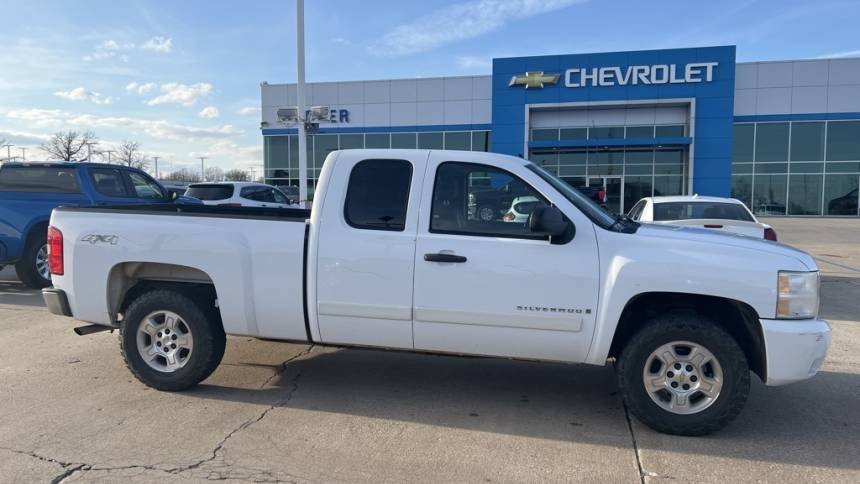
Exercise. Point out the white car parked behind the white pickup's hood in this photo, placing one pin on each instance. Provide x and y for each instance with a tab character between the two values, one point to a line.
716	213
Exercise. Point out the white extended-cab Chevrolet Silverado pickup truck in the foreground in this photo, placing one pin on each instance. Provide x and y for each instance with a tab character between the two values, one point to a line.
393	255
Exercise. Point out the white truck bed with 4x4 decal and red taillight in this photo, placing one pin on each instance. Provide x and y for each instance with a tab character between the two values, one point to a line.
254	257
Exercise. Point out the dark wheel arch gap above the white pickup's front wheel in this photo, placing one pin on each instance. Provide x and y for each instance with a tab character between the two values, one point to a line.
739	319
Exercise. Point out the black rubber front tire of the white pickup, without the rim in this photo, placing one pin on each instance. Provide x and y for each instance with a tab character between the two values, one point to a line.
693	328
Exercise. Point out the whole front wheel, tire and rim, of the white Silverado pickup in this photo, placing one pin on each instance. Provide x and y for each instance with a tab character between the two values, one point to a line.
683	376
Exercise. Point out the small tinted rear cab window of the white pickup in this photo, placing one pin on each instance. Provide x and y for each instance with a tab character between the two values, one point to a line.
378	195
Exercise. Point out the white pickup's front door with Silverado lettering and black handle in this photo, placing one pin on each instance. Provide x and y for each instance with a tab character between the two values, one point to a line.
490	286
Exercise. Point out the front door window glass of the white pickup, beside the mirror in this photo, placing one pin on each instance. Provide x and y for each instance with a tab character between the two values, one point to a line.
473	199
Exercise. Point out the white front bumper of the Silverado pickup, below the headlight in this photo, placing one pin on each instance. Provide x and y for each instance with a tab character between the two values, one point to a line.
795	349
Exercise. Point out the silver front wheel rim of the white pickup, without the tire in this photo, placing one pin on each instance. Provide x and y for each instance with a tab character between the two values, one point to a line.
683	377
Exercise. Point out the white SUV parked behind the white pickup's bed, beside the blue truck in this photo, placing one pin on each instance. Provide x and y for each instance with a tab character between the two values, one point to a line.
239	194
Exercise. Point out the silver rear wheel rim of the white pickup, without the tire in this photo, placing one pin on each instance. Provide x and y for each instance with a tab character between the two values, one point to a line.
164	341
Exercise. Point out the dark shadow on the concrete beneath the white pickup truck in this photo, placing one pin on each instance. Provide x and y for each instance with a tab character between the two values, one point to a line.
814	423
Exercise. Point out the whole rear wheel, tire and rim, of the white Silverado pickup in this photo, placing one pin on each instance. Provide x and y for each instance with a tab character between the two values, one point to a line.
169	342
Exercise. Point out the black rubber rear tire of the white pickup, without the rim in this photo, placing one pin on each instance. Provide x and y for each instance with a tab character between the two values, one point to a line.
204	325
